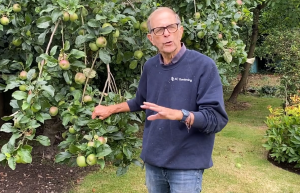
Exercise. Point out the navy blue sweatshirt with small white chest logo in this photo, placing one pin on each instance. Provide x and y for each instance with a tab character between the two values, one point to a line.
192	83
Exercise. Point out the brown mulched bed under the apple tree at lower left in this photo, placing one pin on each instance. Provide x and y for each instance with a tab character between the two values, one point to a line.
41	176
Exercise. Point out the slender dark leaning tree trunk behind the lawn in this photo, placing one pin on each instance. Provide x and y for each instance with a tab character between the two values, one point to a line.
245	72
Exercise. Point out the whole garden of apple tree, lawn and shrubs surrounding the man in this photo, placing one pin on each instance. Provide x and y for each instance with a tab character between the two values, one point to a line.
61	58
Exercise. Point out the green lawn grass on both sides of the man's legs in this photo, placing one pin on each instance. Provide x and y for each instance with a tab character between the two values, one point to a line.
239	142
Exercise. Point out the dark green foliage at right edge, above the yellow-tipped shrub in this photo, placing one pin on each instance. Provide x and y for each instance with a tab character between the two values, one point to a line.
282	48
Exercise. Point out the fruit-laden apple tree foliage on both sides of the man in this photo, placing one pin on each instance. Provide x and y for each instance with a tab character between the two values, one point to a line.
54	53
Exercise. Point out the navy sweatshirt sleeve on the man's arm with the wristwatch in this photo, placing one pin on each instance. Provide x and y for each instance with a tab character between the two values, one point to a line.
211	116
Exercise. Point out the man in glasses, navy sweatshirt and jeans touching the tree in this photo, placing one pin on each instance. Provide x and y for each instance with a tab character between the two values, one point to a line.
181	91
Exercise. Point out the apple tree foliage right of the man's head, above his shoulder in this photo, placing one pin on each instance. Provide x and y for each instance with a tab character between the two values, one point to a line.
216	32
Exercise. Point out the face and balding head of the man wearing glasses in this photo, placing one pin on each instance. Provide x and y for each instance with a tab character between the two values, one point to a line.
168	43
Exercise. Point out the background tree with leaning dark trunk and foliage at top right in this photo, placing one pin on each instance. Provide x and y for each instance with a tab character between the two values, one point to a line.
273	15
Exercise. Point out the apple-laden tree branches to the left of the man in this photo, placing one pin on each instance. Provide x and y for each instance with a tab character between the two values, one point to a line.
59	58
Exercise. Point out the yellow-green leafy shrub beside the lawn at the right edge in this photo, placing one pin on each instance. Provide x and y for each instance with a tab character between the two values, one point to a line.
283	134
